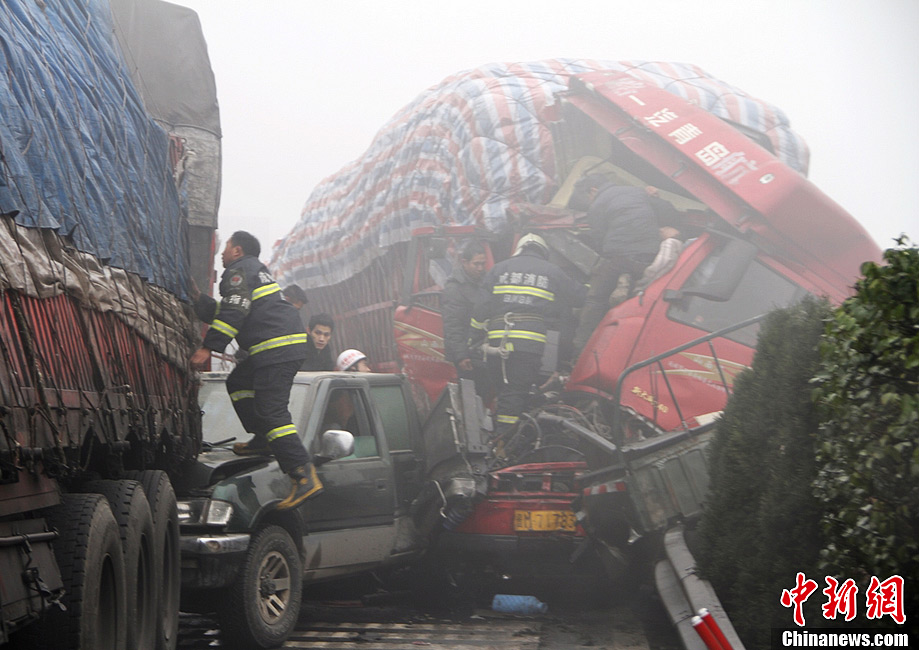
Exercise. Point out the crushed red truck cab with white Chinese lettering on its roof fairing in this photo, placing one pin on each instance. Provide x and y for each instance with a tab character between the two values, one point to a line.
763	237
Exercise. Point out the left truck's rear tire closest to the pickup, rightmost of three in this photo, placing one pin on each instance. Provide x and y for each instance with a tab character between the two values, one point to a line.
166	560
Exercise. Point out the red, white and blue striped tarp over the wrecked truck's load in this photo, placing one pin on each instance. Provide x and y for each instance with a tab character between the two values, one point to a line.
467	148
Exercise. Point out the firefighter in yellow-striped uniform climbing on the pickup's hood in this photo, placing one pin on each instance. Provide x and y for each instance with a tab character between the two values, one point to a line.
253	311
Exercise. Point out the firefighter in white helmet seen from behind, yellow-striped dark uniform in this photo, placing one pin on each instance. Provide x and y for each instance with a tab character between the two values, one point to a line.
522	294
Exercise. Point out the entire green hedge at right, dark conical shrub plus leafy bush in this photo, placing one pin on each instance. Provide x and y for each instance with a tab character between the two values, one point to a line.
815	463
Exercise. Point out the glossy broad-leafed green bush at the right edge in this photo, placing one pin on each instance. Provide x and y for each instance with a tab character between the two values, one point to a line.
868	452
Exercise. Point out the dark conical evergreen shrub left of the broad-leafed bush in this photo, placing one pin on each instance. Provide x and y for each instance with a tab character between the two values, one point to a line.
761	522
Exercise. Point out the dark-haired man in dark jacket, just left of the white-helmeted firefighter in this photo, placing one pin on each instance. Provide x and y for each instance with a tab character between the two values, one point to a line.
462	290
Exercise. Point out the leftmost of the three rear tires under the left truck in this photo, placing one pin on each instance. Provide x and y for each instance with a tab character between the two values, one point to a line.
89	555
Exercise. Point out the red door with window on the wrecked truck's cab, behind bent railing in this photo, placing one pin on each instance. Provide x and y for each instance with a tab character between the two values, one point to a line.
719	282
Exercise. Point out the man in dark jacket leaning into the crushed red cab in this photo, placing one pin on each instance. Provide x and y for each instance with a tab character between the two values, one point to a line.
624	231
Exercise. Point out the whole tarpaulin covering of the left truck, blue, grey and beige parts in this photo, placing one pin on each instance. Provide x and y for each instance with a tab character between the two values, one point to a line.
89	205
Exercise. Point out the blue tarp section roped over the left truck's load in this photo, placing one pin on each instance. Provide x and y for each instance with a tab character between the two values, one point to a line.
80	155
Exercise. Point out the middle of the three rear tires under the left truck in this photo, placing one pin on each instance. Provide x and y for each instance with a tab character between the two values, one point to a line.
135	522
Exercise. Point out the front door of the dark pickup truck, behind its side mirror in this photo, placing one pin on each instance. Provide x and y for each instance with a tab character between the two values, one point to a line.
352	522
